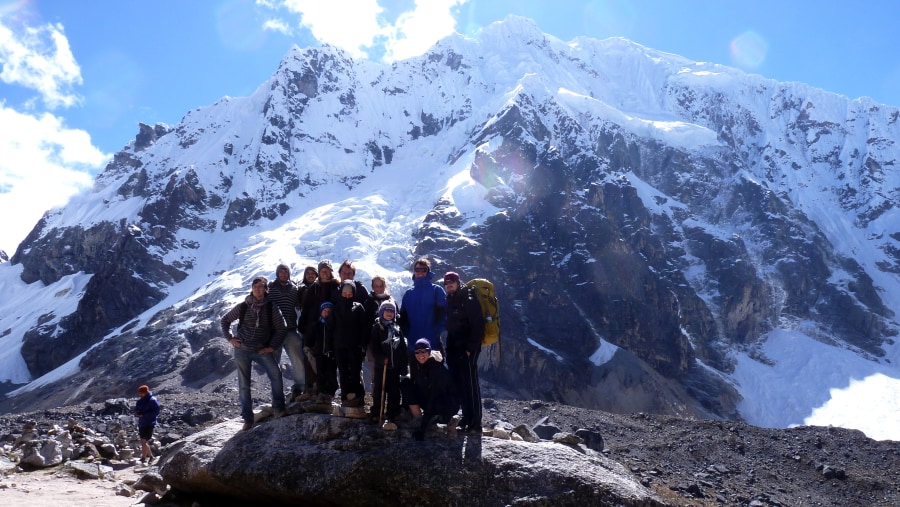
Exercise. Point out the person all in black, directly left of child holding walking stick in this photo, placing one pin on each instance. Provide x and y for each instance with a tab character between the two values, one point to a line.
348	341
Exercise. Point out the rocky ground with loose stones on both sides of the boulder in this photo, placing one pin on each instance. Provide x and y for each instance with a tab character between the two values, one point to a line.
686	462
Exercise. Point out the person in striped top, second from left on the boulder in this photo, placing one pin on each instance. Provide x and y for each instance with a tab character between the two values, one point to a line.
285	294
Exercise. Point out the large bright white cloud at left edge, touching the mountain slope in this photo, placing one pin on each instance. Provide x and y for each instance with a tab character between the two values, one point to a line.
43	165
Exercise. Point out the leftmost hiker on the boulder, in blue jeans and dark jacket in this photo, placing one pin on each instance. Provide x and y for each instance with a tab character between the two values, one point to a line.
261	330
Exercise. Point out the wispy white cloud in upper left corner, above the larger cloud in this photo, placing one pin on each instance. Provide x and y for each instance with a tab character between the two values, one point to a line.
40	59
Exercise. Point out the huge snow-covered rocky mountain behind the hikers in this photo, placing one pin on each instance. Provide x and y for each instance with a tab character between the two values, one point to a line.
665	235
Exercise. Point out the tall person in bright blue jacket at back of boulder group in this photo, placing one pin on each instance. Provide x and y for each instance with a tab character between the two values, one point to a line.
423	308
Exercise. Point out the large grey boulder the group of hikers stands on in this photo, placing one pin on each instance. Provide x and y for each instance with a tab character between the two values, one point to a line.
315	459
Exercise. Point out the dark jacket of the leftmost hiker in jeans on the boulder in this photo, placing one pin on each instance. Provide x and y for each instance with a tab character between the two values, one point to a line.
259	329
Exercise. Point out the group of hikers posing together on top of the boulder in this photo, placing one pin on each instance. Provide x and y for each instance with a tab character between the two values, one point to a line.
423	351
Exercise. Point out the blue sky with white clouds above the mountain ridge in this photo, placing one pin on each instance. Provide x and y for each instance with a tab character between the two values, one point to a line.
77	77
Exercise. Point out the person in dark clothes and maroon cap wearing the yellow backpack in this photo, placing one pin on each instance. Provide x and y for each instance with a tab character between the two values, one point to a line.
465	328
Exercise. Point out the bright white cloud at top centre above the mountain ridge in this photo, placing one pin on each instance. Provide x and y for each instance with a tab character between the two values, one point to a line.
358	26
